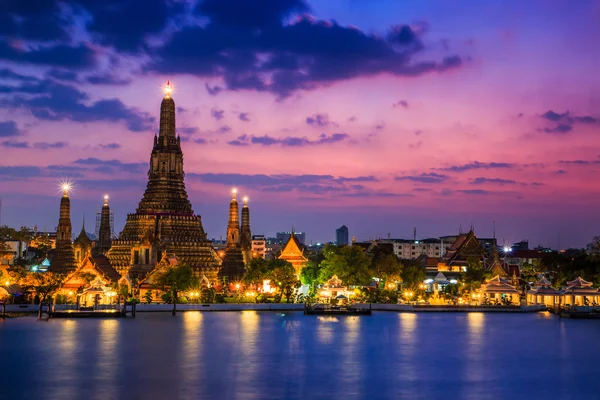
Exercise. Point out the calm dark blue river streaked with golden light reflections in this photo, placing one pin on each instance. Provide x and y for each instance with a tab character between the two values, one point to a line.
253	355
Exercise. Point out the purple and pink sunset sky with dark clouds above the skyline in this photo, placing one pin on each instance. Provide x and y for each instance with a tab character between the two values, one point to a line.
381	115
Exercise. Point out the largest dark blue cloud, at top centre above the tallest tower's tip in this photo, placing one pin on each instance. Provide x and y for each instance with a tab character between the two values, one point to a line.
248	45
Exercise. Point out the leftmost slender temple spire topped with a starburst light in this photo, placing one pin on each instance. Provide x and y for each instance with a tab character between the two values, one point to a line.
63	259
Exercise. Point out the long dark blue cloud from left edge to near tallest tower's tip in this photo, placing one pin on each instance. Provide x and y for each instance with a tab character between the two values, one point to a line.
48	100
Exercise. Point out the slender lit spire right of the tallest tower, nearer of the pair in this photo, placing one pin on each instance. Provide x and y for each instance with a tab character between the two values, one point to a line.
233	267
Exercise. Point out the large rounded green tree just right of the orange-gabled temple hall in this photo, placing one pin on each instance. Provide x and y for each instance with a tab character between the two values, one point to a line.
349	263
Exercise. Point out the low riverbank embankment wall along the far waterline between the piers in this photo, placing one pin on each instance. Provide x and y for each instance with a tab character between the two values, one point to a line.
30	308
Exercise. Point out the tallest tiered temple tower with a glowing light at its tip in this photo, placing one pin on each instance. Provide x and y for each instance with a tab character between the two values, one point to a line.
164	225
